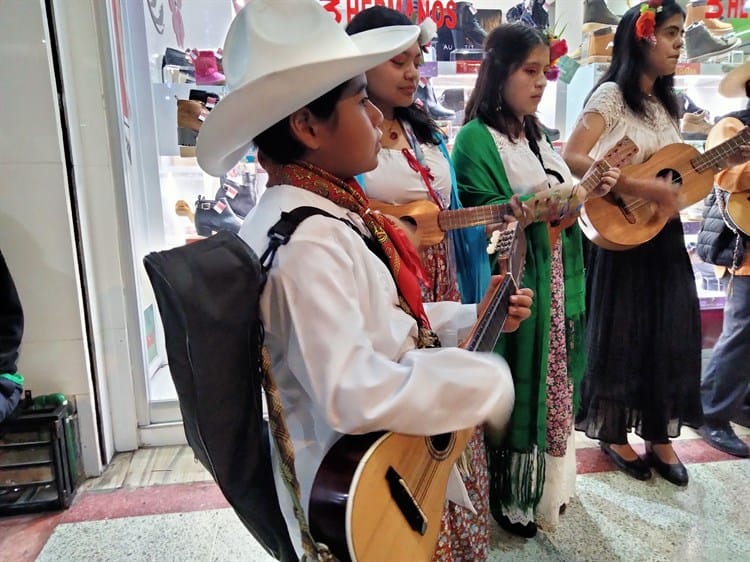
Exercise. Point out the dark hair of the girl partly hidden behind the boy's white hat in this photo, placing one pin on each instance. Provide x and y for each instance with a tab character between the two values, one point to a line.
424	127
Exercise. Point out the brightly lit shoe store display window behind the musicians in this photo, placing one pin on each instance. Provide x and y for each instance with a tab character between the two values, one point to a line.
173	64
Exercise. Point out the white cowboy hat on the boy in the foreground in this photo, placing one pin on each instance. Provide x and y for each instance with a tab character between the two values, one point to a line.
280	55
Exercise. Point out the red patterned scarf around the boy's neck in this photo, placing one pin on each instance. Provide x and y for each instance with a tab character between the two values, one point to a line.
403	260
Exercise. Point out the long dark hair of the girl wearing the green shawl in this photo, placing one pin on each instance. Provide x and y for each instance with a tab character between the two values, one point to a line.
507	47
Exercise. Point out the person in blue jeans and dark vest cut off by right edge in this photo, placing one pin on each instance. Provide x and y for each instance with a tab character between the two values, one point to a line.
725	390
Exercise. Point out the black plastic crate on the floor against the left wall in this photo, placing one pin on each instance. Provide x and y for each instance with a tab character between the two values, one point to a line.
40	464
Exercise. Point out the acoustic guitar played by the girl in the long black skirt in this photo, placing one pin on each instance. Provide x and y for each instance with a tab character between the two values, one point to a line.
620	222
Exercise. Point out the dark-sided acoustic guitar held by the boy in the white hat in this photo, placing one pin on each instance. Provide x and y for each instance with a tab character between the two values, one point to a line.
380	496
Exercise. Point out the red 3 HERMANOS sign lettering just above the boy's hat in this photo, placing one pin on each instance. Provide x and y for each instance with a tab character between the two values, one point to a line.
442	11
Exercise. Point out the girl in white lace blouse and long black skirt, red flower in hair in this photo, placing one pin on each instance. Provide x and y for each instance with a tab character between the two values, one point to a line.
644	330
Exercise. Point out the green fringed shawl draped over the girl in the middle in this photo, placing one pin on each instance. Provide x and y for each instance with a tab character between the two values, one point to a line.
482	181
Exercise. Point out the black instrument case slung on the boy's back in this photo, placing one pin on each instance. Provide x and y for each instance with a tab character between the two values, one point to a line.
208	296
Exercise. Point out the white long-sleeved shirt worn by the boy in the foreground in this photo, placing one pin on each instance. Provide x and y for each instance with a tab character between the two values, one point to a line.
344	353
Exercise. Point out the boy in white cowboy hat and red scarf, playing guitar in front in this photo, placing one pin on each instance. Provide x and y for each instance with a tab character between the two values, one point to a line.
352	347
